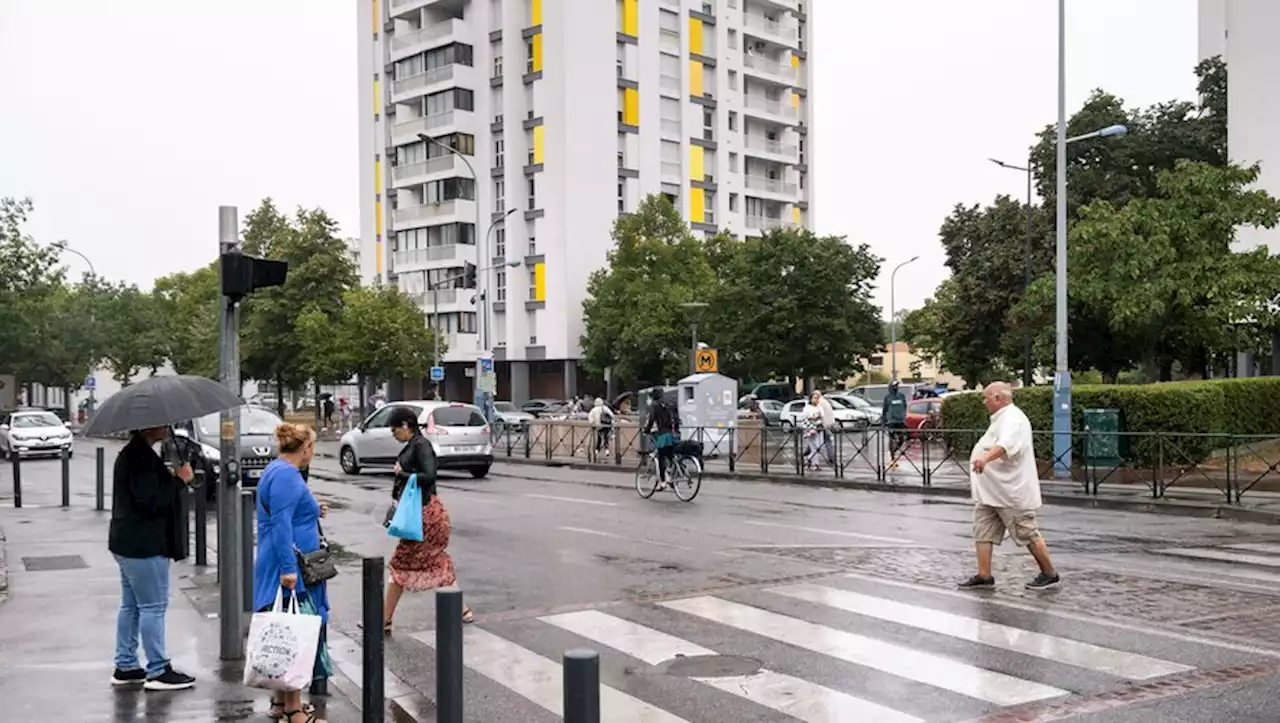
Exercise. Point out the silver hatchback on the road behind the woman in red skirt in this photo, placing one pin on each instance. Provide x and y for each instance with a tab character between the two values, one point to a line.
459	434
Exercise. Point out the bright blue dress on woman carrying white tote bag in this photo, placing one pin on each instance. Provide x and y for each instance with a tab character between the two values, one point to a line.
289	516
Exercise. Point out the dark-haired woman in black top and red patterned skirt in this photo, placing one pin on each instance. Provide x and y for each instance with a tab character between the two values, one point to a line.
427	565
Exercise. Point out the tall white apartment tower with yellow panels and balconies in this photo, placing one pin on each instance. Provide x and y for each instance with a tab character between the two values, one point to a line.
565	115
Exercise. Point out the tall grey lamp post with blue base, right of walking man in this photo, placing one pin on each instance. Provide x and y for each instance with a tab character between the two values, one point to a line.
1062	377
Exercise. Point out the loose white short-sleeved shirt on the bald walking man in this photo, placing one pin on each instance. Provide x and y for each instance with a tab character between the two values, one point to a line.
1013	481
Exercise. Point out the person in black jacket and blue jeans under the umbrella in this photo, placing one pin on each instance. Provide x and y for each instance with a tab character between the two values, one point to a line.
147	516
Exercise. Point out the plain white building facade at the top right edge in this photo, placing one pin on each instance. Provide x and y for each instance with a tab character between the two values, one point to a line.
1245	34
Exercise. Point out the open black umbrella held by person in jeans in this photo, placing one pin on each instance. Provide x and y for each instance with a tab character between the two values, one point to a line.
161	401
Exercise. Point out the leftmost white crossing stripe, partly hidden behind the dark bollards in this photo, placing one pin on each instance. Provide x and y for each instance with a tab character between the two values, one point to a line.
541	680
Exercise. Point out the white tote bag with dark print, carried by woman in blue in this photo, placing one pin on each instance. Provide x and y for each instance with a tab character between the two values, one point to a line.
282	647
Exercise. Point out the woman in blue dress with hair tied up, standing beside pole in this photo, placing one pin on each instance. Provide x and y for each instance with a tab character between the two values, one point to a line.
289	525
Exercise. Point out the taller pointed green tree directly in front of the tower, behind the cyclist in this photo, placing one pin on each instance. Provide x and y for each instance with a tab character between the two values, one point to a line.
633	315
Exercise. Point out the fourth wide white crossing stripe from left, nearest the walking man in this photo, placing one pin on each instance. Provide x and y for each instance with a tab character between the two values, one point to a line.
1040	646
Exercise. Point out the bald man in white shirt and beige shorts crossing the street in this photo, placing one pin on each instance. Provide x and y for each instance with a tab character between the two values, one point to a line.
1007	489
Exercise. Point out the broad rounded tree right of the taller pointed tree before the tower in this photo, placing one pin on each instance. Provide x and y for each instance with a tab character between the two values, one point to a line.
793	304
